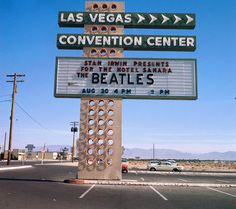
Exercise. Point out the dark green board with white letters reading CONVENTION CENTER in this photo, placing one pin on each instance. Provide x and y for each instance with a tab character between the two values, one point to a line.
128	42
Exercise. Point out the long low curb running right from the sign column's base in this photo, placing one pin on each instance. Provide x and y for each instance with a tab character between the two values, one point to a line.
132	183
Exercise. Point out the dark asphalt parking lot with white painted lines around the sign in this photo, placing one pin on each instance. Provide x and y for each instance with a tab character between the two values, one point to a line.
42	187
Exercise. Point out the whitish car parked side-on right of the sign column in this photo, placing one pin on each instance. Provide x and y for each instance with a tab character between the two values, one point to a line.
164	166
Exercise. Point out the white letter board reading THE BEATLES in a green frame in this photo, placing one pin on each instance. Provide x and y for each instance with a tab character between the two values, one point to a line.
131	78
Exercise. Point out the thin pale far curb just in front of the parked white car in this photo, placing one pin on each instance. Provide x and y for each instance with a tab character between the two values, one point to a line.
184	173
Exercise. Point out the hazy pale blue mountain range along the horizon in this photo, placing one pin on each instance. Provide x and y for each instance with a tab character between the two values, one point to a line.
159	153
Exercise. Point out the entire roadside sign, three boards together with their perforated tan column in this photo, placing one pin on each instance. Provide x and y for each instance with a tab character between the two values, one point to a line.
95	79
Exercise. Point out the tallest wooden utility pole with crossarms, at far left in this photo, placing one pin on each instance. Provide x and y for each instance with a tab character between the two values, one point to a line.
14	81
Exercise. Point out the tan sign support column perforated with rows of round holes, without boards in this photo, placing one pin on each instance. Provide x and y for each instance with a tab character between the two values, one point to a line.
99	144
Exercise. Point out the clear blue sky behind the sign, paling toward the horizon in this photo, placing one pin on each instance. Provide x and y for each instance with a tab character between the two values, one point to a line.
28	30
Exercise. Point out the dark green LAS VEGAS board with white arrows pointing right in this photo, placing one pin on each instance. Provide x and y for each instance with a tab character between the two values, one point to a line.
128	20
